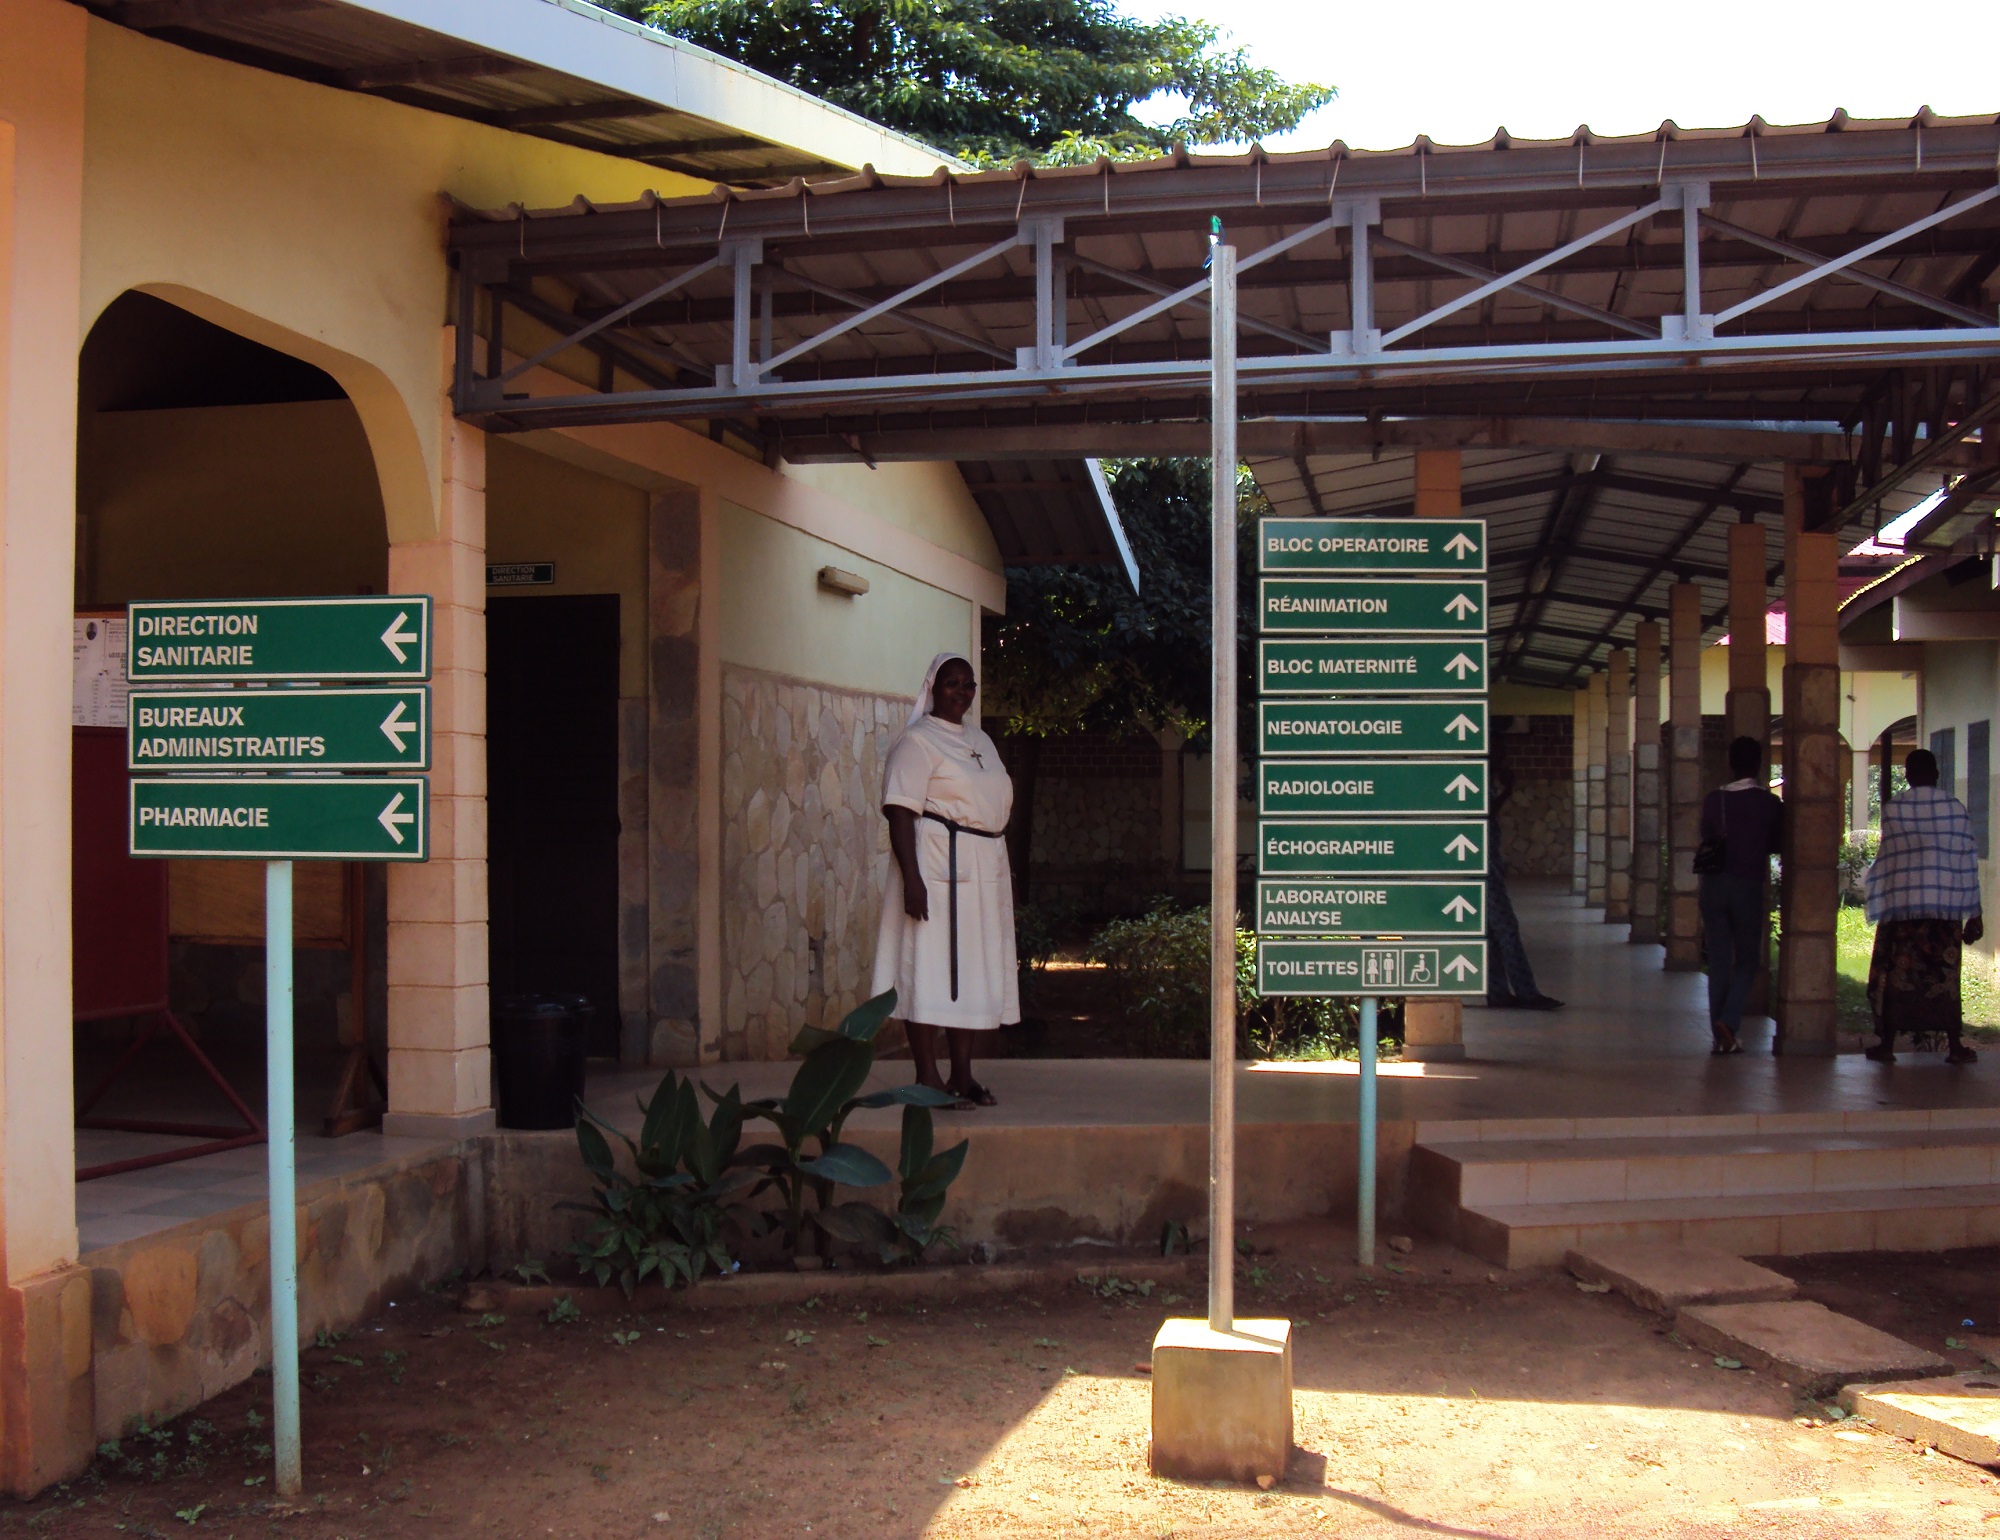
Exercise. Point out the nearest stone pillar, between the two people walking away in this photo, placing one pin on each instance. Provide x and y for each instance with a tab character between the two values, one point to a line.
1813	765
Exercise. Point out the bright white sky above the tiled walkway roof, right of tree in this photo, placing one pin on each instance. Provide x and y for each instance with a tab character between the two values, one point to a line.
1459	71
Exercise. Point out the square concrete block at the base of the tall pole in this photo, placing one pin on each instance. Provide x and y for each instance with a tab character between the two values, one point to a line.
1223	1401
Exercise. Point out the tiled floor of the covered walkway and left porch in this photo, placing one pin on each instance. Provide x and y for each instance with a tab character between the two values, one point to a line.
1633	1043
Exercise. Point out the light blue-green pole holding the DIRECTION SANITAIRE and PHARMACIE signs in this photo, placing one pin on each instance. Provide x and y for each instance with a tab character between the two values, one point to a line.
283	1175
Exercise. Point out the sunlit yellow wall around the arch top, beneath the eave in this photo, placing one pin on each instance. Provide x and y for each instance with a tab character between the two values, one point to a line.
307	219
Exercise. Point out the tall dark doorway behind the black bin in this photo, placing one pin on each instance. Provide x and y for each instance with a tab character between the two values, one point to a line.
553	801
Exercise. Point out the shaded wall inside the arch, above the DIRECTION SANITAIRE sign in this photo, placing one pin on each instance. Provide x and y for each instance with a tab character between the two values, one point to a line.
229	503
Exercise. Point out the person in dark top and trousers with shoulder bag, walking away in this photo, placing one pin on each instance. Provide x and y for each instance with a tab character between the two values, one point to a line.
1745	817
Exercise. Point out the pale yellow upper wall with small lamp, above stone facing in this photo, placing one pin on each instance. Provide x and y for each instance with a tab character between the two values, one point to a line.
775	615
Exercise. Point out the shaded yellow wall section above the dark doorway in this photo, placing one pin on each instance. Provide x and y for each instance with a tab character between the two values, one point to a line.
591	527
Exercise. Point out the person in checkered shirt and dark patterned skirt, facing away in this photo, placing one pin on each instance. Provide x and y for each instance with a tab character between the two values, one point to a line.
1925	903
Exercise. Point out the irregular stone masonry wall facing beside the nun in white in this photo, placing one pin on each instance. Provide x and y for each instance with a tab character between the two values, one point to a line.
805	853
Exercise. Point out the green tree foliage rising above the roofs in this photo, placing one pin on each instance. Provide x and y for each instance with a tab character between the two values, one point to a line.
997	81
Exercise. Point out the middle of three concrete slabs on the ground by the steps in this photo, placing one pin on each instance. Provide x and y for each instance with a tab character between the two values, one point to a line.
1807	1345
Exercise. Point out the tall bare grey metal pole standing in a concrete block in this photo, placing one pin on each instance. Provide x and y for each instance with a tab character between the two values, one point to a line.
1223	795
